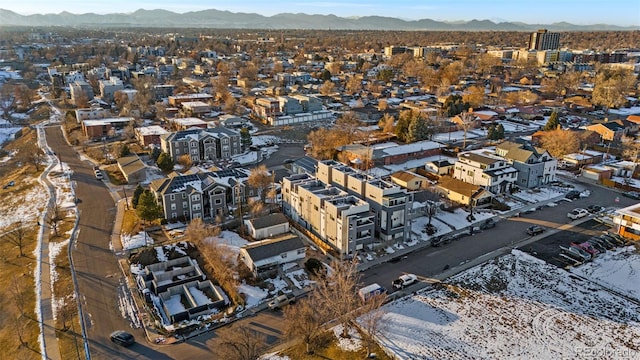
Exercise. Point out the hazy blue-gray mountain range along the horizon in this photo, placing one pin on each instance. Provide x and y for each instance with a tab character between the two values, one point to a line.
228	20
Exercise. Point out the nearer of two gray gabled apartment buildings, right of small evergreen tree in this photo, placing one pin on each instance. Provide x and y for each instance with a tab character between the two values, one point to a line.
186	197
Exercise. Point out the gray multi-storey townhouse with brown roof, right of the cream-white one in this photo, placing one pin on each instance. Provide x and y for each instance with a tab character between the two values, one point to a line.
535	165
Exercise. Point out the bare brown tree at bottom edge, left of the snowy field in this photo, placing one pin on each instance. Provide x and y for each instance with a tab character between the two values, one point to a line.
241	344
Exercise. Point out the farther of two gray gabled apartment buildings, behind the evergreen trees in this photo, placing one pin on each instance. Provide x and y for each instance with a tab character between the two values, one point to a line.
202	144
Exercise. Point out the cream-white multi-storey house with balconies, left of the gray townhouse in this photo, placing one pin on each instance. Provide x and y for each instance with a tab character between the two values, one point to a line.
495	174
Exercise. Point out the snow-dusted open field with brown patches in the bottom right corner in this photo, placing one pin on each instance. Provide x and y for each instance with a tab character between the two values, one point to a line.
516	306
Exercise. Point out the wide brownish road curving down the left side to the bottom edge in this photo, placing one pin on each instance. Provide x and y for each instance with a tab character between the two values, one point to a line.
100	278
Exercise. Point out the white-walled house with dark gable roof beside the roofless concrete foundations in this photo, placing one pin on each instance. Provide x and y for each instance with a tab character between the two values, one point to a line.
264	257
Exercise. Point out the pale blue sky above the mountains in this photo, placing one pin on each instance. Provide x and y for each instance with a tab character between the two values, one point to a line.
579	12
